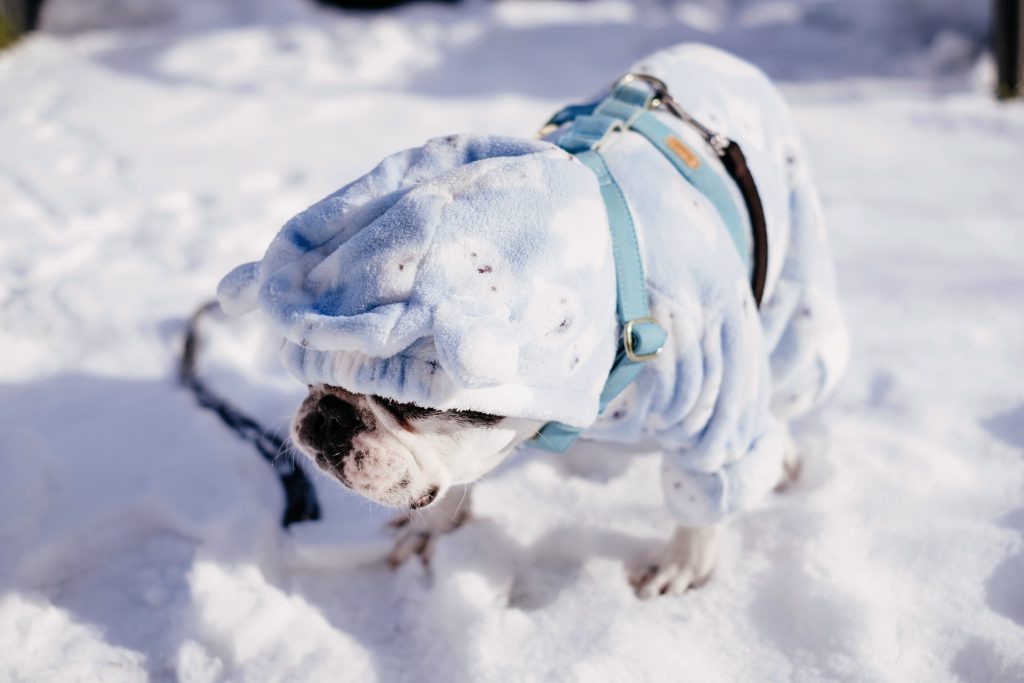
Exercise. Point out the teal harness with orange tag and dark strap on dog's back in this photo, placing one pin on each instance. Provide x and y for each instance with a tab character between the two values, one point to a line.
629	108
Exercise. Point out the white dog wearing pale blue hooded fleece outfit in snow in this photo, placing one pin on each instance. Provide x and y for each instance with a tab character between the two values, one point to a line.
448	306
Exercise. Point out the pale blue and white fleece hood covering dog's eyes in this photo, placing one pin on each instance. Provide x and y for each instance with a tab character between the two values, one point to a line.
475	273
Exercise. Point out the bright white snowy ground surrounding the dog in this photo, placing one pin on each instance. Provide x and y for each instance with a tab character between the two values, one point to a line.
139	539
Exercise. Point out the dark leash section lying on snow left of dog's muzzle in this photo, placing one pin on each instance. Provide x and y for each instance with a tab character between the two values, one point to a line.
301	497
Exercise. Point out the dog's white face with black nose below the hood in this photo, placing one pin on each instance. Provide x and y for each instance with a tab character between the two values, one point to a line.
400	454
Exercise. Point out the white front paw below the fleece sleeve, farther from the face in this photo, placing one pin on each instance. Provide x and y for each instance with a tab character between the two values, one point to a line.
686	563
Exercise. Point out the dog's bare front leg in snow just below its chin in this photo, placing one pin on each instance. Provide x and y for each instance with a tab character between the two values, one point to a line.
419	531
